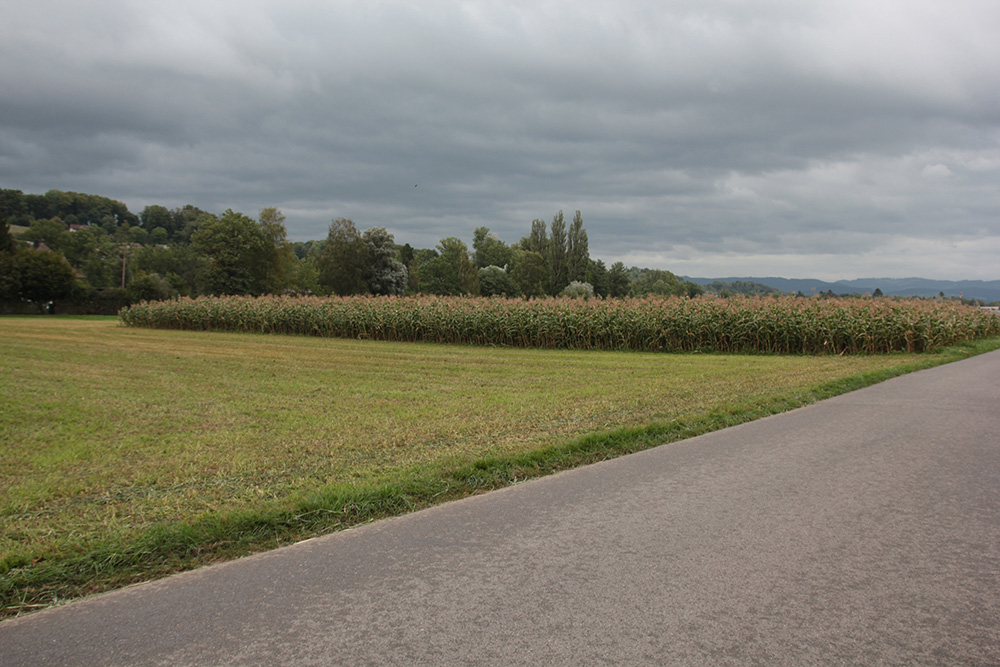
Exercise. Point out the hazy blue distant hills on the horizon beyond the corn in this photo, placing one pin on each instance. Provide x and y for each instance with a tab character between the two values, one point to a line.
985	290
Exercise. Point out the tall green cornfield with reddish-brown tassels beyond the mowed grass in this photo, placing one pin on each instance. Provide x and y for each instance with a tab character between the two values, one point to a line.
785	325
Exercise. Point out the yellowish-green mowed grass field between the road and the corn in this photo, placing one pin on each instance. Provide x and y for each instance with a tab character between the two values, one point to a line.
129	453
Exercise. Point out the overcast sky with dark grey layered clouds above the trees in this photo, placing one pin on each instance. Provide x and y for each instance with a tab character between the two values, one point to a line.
834	139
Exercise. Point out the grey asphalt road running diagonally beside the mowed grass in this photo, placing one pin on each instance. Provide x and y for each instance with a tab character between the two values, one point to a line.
861	530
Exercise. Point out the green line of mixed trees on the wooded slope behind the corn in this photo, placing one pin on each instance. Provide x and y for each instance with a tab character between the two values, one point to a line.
90	249
